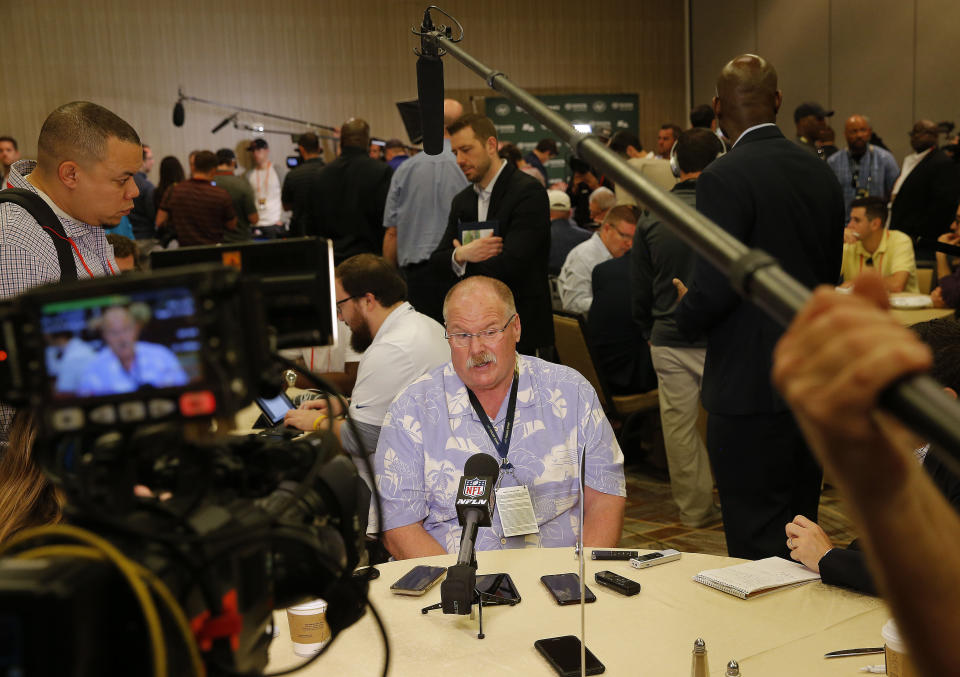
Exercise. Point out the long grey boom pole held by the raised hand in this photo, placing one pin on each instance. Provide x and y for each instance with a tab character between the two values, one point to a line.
918	401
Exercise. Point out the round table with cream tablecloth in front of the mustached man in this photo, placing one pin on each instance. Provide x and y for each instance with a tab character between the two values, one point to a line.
783	633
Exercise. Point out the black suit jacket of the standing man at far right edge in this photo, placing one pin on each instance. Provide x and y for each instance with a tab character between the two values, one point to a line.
928	198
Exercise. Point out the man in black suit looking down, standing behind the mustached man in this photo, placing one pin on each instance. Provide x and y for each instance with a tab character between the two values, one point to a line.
514	208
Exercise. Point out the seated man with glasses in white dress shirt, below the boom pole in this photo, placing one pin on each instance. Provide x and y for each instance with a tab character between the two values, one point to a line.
611	241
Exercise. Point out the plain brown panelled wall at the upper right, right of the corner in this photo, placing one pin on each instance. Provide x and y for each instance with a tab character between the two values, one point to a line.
888	59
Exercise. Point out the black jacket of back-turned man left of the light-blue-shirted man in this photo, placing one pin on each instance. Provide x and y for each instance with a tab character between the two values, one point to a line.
348	198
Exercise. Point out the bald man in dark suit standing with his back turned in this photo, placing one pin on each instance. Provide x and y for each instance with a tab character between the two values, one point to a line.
772	195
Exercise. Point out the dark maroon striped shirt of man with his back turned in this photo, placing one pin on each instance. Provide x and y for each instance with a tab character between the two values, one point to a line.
199	211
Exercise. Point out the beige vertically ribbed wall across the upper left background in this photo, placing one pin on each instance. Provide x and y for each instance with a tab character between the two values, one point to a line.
319	60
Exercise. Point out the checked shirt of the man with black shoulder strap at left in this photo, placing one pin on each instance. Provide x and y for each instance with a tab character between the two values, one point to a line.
28	257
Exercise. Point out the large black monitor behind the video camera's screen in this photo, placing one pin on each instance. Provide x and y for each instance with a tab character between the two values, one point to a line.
296	280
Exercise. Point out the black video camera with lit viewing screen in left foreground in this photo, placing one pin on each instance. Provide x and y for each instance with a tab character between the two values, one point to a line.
125	376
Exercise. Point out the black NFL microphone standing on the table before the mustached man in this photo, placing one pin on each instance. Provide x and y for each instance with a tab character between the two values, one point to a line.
475	501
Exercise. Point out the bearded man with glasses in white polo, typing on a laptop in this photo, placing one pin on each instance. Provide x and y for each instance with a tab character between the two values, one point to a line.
397	345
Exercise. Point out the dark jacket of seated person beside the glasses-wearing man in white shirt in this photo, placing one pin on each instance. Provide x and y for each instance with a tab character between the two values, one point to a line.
620	351
